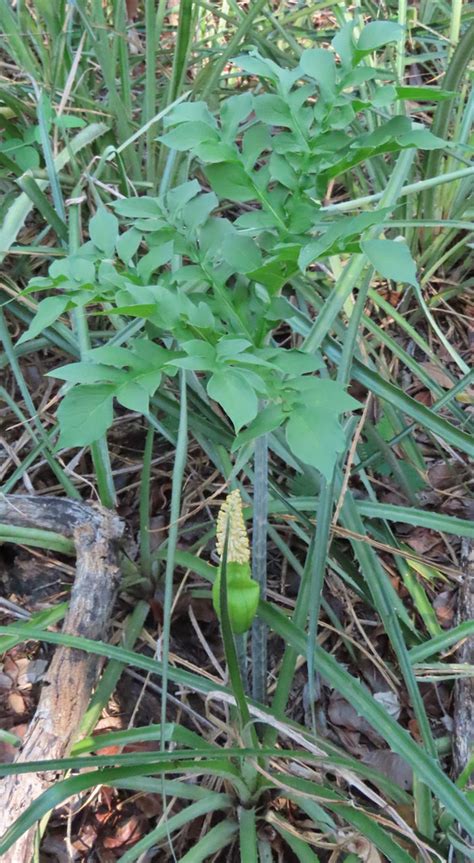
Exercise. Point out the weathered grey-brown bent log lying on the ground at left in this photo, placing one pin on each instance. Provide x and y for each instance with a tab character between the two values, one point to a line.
72	675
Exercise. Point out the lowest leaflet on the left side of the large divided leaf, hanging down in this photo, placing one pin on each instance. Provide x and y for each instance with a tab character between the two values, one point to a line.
85	414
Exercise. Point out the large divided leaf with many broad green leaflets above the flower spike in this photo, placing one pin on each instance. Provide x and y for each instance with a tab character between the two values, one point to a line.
210	289
